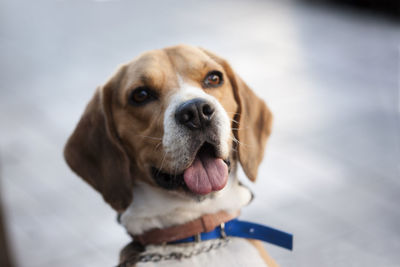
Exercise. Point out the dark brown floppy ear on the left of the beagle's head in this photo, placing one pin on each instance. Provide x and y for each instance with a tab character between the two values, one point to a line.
94	152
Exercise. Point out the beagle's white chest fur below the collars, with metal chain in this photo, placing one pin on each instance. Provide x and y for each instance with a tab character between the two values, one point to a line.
234	252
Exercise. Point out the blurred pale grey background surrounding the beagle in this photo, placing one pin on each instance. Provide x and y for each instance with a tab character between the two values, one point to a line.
329	70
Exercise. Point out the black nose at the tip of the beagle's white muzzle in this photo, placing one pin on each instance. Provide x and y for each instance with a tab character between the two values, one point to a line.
194	114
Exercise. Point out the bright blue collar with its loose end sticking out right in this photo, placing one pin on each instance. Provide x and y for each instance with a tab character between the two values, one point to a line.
244	229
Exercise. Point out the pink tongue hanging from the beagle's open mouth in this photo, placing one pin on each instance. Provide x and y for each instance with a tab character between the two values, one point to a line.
206	174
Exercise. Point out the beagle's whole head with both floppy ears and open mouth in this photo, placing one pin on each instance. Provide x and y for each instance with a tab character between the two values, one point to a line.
178	119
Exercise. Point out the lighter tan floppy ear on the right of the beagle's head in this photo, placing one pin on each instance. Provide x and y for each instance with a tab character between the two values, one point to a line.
253	122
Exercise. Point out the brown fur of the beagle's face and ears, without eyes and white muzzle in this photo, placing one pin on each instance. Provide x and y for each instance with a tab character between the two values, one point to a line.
114	144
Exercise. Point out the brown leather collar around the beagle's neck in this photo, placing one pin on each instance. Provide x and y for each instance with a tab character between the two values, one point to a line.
205	223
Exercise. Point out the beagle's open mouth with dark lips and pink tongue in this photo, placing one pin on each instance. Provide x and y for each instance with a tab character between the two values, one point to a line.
206	173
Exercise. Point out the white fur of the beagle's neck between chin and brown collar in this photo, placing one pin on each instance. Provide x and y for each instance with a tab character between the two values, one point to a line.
156	208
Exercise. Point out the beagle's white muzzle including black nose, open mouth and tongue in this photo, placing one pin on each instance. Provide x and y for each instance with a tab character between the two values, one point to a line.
197	145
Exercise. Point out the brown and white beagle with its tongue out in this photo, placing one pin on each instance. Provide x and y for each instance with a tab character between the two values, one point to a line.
161	142
